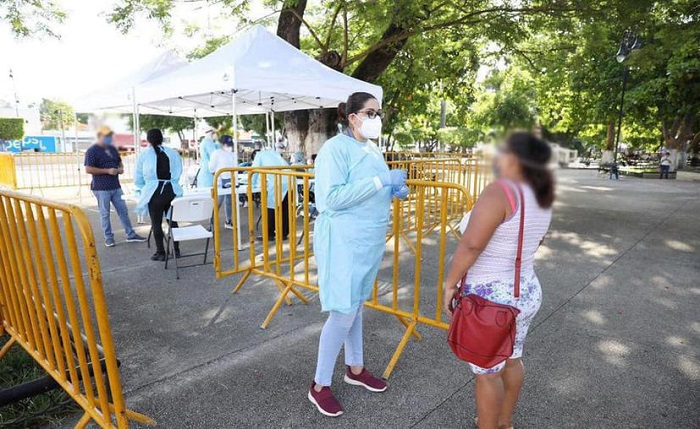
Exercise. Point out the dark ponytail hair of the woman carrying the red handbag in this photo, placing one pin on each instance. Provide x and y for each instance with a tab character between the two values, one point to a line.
533	155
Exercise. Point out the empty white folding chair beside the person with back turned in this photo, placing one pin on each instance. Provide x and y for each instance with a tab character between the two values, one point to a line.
189	209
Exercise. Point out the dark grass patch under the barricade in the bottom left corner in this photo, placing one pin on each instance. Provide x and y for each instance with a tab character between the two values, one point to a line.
48	408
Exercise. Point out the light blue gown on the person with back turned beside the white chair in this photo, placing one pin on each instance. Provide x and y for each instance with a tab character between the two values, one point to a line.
146	179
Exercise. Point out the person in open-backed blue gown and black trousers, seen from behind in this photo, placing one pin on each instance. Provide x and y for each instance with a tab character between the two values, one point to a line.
157	177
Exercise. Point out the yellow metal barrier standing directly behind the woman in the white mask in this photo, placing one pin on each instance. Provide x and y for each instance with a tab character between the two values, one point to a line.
413	299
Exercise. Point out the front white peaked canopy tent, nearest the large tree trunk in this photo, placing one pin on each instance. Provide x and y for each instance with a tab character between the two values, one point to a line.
255	73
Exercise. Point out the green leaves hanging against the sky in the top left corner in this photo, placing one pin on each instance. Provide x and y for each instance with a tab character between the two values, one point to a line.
31	18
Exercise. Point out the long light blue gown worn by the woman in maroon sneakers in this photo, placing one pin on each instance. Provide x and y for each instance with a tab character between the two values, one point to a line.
350	233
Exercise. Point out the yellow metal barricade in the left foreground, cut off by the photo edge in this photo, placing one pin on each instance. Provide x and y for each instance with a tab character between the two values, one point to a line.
52	309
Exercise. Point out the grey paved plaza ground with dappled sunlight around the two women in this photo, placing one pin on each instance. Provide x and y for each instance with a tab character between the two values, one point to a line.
615	345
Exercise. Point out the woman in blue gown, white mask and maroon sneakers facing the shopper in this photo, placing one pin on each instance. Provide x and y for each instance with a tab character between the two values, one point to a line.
354	188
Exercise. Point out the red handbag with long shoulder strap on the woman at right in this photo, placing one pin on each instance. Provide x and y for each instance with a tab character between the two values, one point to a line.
483	332
